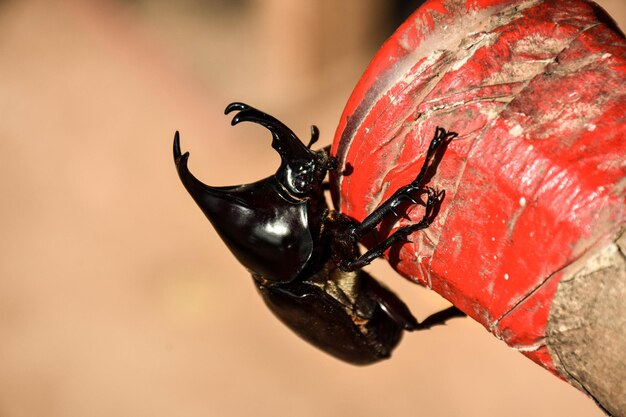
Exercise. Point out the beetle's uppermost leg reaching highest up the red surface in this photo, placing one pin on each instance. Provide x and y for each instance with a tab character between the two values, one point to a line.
437	145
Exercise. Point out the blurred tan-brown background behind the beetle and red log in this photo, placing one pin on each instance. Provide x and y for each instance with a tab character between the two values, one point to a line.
117	297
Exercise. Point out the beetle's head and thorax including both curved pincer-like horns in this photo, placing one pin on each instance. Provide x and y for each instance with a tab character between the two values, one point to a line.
270	225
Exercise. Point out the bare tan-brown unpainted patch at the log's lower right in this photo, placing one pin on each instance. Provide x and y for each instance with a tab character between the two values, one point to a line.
586	332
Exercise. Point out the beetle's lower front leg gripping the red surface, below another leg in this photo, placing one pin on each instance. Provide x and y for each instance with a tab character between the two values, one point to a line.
400	235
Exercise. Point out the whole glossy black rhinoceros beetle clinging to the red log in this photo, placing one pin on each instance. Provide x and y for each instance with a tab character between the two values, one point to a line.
304	257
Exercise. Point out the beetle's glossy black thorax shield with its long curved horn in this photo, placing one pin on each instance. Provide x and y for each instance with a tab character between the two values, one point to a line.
255	221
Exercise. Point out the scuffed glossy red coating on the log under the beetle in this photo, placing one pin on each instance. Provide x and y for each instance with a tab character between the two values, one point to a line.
536	177
